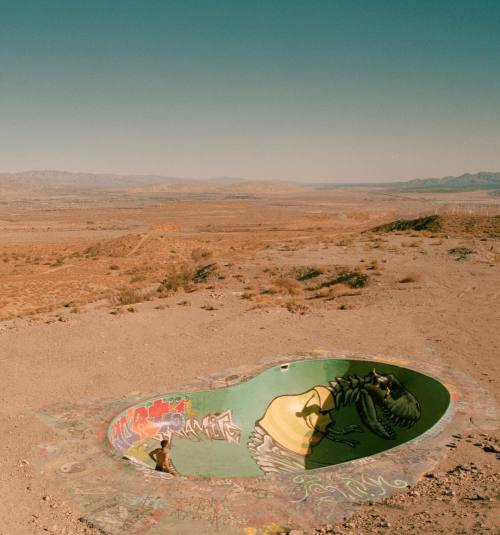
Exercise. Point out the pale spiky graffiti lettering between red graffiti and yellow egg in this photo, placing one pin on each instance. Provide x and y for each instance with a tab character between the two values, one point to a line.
219	426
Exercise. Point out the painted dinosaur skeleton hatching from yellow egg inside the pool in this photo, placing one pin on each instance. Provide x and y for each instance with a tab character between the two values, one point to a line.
293	425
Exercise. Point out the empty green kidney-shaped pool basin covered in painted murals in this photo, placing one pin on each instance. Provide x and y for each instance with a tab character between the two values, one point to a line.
304	415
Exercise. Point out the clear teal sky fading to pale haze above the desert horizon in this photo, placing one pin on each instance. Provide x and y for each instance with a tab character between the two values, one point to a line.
311	90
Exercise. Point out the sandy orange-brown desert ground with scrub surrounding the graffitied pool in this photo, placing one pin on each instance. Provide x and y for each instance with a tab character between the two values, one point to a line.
106	293
